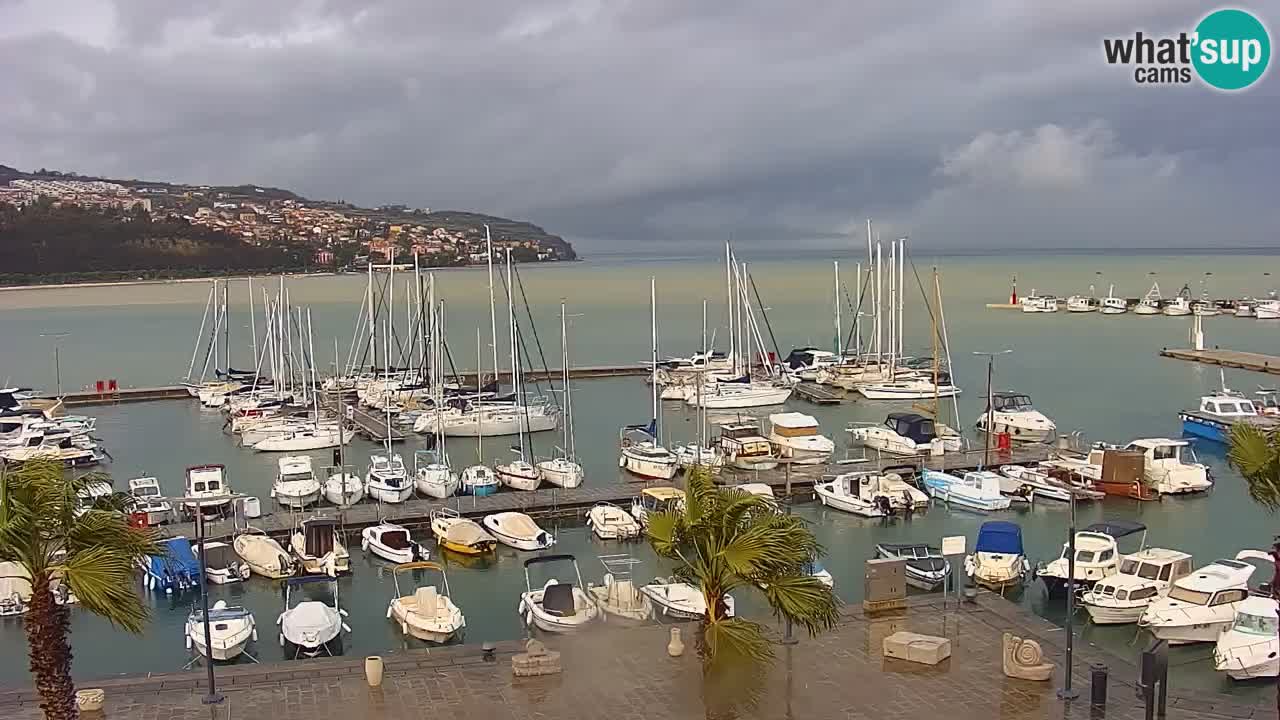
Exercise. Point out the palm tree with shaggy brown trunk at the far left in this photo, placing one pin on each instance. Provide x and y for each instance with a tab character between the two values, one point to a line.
95	555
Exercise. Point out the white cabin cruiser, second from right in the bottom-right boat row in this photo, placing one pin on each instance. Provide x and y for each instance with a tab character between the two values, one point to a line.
1203	605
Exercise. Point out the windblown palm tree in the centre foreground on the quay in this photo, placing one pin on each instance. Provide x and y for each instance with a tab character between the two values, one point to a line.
725	541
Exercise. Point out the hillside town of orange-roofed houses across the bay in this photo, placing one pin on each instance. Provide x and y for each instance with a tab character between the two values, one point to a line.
337	235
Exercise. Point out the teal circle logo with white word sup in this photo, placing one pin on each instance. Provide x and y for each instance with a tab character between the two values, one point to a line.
1232	49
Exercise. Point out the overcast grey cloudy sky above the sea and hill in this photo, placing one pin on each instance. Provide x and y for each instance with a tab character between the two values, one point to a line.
966	125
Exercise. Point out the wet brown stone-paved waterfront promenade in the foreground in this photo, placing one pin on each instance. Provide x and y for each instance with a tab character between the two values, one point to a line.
627	676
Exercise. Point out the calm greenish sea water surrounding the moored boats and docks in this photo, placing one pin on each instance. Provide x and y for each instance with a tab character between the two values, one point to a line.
1099	375
